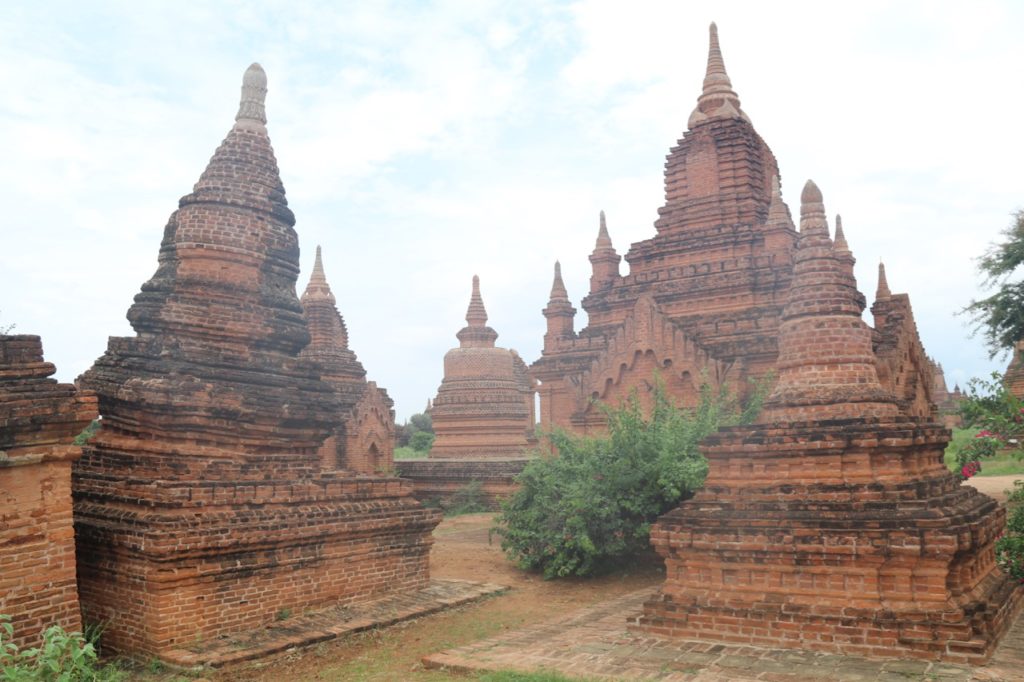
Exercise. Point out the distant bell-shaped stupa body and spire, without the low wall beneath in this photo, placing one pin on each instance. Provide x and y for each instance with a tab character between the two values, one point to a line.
485	406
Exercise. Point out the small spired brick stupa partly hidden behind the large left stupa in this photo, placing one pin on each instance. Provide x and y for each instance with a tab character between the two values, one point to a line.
364	436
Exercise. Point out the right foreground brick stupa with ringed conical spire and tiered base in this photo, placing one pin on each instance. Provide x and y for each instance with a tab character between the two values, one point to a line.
834	525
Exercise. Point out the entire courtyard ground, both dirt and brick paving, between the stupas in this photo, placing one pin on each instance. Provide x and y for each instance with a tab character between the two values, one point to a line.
573	628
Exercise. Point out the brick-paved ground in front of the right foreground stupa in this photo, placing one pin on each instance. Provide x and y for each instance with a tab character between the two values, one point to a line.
595	645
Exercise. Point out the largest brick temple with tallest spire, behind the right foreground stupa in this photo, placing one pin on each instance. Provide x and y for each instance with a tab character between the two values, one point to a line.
704	297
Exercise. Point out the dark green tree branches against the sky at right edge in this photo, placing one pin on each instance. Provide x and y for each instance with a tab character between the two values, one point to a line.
1001	317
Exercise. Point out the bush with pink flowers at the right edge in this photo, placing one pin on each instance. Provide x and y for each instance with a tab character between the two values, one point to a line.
998	417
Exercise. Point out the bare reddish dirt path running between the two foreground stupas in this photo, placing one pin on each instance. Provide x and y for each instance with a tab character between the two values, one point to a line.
462	551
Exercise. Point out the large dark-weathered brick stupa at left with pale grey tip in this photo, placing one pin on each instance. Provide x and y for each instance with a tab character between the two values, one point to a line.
202	507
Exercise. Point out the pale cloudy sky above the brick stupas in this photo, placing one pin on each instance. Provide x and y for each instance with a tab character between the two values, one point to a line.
421	144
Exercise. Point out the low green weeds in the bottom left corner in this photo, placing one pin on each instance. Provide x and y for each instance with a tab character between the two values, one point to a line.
62	658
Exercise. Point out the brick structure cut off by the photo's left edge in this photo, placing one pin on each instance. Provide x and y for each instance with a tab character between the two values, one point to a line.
39	420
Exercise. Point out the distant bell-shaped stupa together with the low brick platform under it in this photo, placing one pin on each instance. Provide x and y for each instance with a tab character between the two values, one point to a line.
484	416
